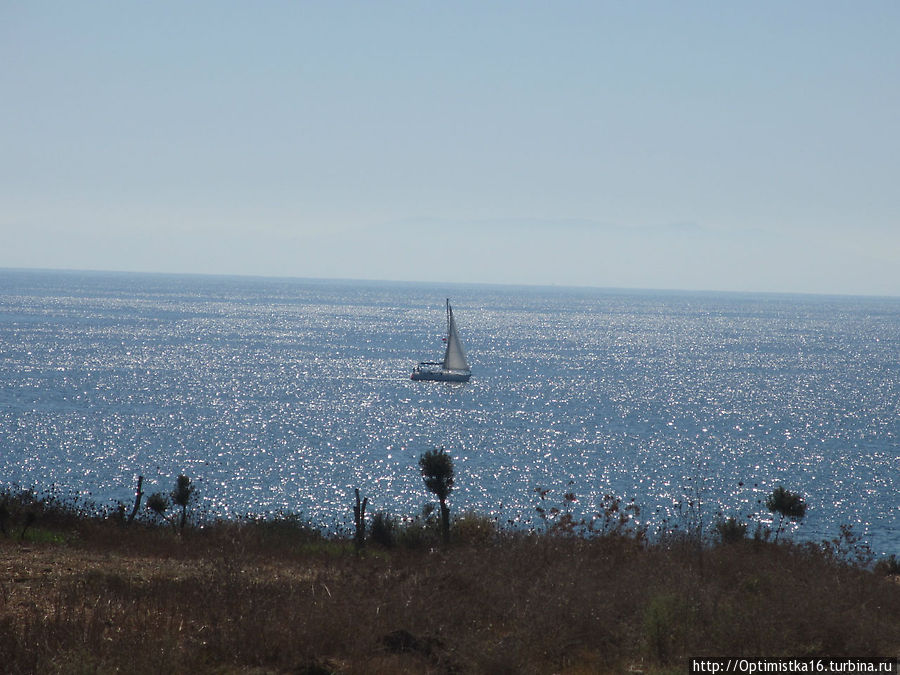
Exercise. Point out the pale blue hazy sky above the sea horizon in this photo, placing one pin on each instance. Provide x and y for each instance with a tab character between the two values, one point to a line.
695	145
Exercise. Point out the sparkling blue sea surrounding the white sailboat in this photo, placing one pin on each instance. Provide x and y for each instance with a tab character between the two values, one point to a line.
287	394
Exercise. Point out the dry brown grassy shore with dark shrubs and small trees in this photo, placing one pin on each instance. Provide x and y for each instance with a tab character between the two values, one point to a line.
140	590
